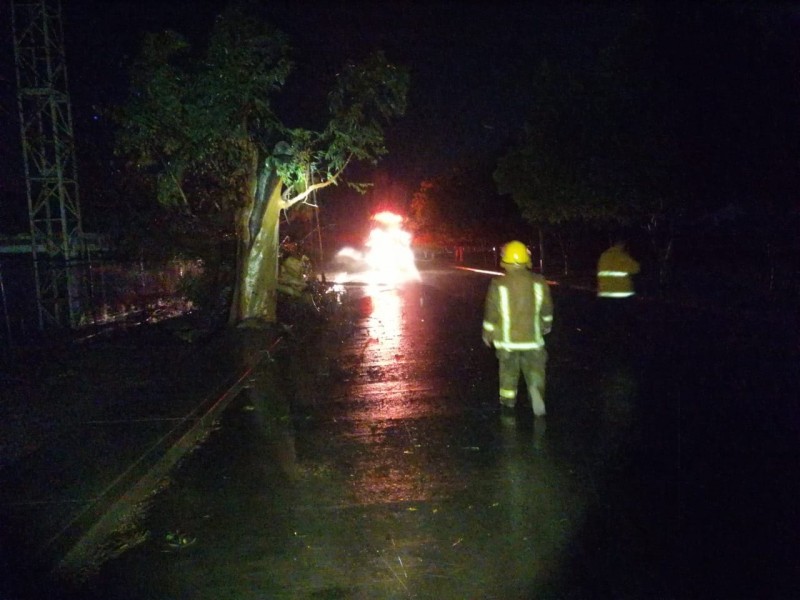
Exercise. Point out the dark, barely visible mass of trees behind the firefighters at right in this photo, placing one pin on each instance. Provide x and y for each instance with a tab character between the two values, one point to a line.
686	127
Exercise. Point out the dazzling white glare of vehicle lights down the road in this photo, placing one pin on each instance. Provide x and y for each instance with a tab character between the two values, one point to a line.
387	260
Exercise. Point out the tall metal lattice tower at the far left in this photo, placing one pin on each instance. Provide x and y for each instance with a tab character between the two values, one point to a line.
48	146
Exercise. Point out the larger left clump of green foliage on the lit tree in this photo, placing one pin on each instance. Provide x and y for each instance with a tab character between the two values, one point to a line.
197	121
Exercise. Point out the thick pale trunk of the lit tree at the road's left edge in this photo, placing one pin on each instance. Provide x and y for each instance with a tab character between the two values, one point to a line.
255	294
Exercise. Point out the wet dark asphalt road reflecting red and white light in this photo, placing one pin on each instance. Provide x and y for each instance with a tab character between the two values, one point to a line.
373	464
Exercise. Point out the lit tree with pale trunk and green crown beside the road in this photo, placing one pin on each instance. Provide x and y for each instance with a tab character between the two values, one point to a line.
203	124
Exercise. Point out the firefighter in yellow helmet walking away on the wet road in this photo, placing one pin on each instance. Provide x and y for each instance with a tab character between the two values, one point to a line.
518	314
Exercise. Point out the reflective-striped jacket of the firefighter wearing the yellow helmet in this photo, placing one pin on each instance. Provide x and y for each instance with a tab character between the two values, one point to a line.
518	310
